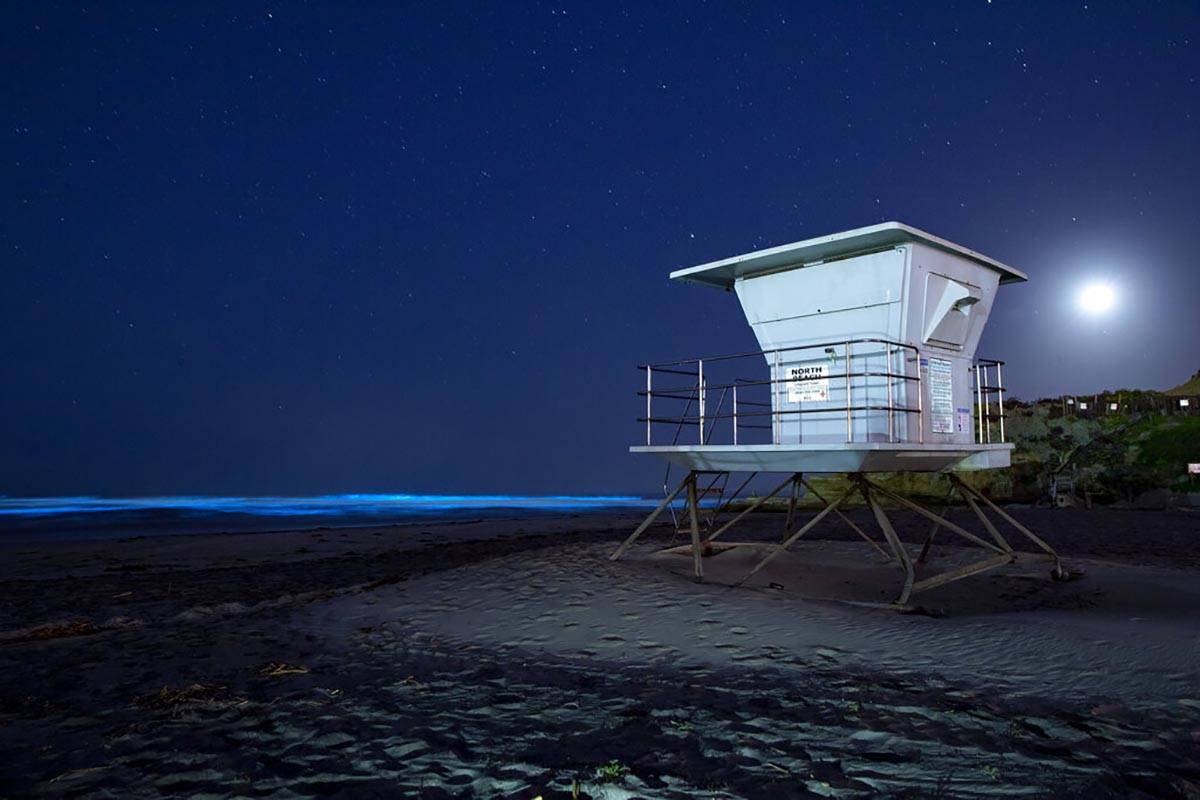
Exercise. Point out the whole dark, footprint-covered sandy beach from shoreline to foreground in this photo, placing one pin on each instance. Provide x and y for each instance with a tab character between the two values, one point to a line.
511	658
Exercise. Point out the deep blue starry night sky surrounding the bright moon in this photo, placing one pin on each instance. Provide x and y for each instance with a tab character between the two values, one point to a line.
303	249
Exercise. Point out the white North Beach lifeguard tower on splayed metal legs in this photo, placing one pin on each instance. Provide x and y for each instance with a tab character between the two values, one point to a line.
869	344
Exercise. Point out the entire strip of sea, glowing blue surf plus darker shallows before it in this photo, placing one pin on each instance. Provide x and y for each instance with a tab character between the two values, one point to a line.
89	518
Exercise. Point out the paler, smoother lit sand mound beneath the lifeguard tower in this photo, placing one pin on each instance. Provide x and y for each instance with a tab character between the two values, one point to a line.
572	600
